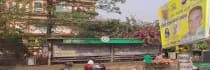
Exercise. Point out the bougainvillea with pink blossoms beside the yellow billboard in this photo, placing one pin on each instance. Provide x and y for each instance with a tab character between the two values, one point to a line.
149	34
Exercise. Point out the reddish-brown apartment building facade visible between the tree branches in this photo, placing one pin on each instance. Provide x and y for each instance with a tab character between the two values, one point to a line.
38	12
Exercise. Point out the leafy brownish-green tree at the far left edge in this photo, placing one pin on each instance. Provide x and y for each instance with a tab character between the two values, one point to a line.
10	38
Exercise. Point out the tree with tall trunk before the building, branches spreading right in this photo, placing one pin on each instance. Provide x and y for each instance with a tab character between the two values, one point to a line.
78	16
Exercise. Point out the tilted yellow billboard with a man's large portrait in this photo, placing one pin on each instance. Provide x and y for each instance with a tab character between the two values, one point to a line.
183	21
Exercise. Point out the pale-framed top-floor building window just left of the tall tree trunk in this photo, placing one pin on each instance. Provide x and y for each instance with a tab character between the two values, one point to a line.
38	5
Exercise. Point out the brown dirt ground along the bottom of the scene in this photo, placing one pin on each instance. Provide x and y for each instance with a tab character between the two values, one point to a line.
134	65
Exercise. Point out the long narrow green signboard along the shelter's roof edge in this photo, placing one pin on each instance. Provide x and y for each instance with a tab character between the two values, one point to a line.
98	41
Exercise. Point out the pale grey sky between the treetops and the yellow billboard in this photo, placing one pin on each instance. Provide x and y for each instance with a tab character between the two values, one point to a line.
144	10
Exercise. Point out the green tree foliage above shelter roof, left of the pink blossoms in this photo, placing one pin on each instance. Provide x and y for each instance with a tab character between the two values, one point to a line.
112	28
